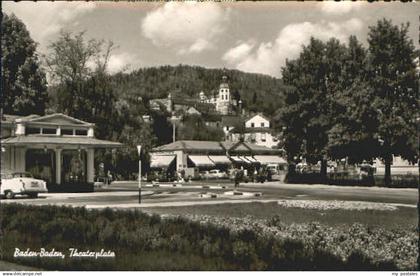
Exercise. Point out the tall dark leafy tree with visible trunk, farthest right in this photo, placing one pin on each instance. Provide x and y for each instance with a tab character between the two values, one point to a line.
393	79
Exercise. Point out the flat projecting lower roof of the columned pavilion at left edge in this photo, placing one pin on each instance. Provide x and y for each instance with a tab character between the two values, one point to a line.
27	140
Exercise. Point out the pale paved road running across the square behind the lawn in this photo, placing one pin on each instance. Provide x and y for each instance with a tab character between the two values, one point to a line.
120	194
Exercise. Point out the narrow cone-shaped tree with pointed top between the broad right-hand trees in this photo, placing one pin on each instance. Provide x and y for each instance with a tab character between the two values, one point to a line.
354	133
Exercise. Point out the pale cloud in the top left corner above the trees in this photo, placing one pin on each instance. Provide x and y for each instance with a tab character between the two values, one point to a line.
44	19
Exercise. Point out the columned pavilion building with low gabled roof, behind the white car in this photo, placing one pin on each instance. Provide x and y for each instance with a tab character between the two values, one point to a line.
56	148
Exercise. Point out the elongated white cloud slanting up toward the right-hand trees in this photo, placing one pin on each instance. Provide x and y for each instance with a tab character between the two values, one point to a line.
269	57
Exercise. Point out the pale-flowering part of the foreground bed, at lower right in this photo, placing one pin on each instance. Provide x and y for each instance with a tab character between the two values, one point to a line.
355	244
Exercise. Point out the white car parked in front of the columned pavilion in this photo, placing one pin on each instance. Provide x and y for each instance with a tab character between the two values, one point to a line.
21	183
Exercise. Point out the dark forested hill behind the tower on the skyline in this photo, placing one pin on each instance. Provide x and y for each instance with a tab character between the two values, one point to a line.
258	92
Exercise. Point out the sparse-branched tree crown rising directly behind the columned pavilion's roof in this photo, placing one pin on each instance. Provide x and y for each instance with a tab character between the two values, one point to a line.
77	68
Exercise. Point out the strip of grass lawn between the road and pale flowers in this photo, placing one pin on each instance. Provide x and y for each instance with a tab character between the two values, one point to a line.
402	218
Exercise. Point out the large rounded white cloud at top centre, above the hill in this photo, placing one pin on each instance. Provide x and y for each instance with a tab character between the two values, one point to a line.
186	27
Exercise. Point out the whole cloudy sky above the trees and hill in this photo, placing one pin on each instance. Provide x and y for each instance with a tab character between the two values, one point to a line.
249	36
